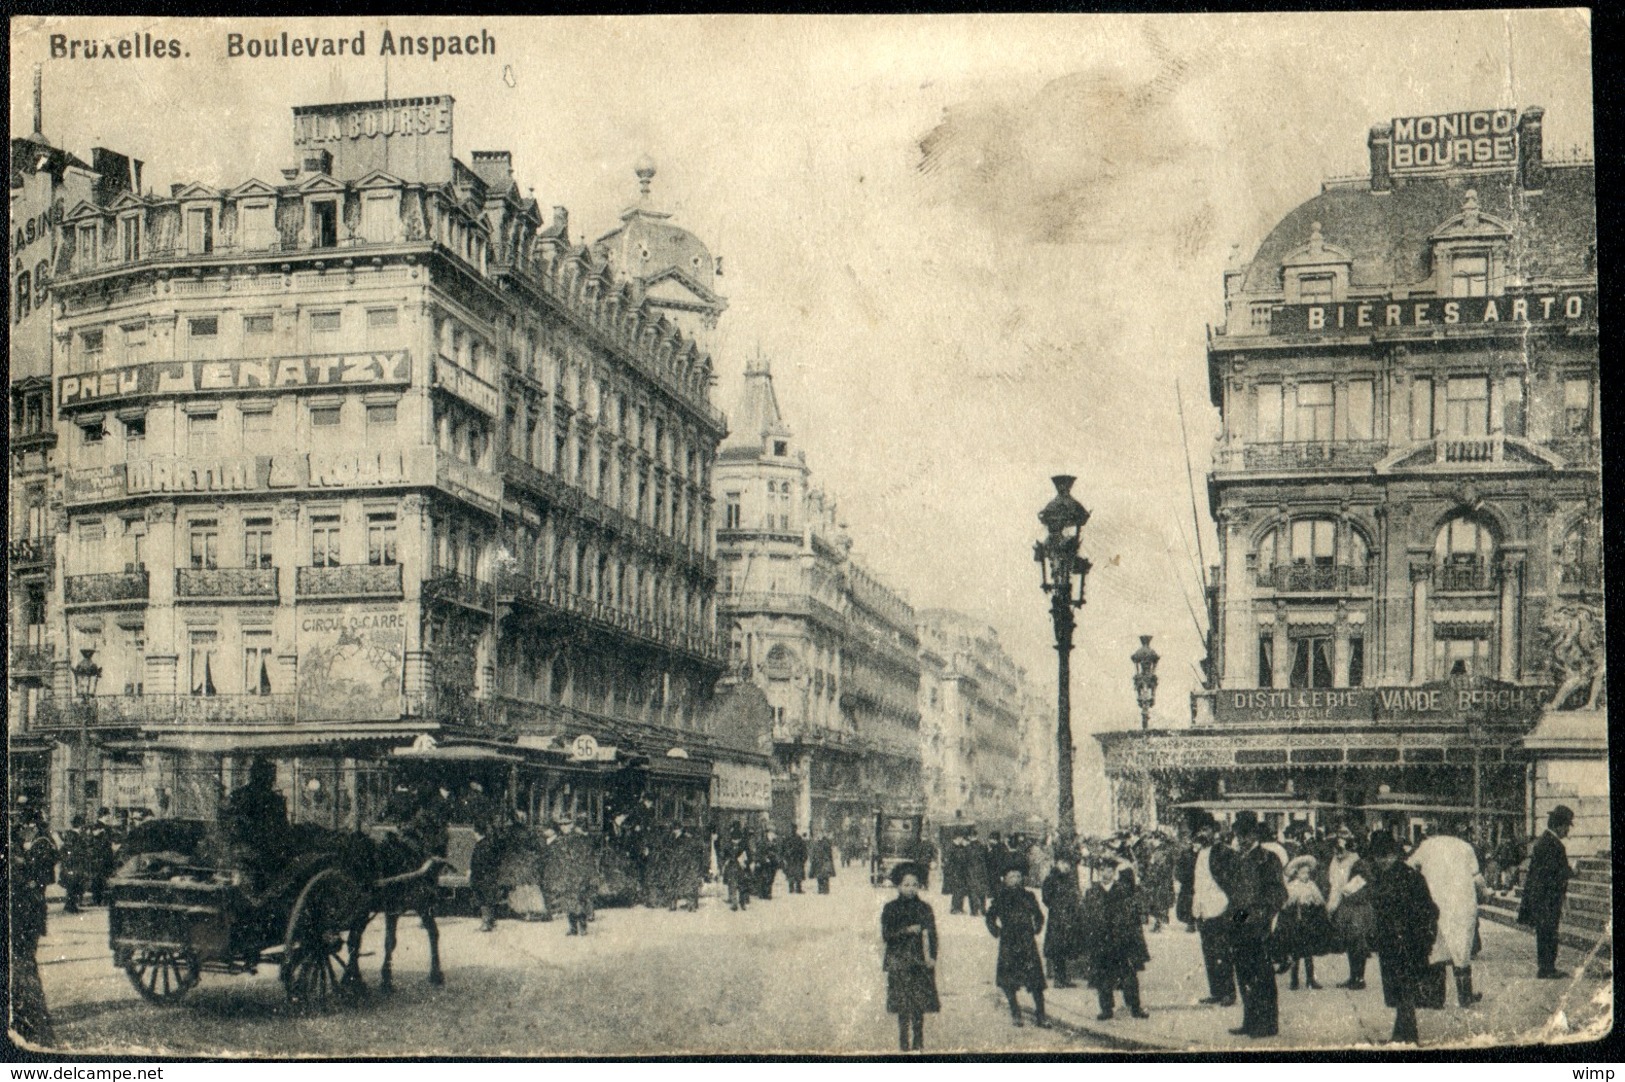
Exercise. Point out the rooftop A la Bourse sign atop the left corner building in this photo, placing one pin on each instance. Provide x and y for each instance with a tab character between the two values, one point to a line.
405	137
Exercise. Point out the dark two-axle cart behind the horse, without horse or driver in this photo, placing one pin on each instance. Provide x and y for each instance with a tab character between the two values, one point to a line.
181	907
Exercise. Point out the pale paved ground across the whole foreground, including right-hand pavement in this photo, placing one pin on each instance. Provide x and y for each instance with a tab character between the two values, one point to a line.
797	974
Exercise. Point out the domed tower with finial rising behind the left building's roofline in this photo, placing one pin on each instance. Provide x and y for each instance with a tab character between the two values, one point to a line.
670	266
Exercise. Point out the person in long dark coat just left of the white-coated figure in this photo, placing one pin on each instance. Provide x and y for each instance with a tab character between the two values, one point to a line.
1406	924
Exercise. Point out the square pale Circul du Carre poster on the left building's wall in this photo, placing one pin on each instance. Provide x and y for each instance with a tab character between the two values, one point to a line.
352	662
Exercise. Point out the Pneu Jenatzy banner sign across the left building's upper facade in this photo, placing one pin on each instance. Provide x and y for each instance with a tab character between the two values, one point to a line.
186	378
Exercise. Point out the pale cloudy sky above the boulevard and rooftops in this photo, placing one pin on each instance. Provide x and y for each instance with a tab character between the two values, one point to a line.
977	251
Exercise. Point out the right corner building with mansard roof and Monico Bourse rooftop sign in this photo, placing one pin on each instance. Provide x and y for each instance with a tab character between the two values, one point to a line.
1406	491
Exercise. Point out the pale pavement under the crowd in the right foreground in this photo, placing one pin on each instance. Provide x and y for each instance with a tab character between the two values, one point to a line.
1517	1008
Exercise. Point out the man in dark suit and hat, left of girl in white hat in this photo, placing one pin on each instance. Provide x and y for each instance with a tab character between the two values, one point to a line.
1255	891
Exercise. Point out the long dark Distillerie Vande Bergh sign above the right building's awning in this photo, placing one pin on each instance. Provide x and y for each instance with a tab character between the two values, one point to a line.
1447	701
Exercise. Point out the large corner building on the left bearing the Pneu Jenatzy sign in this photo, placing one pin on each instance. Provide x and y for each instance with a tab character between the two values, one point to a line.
371	452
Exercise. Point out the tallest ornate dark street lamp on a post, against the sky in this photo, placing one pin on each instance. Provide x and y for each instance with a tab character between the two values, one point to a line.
1060	569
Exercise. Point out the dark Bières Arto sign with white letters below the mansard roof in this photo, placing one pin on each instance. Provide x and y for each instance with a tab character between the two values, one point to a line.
1364	318
